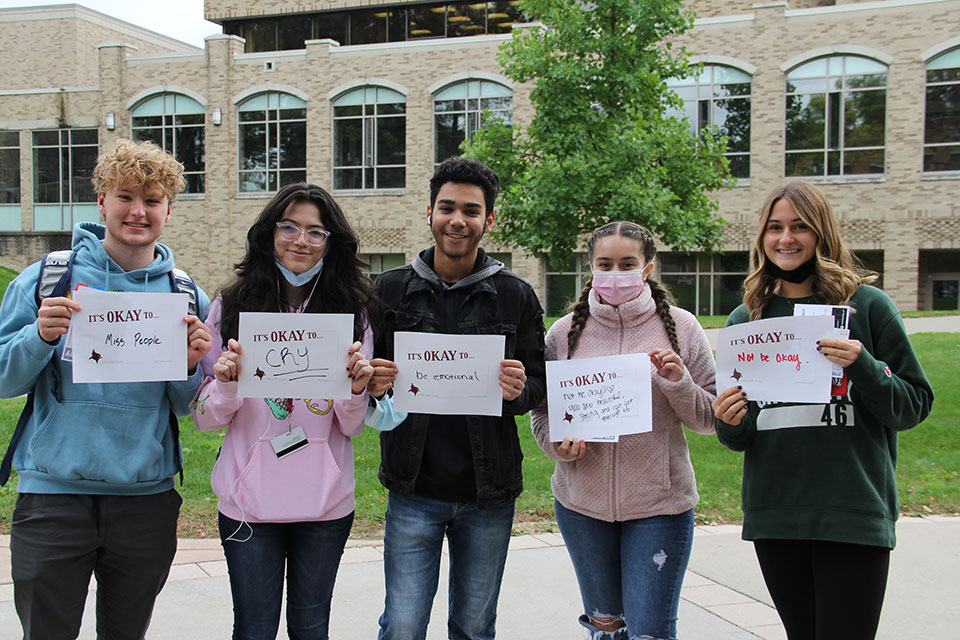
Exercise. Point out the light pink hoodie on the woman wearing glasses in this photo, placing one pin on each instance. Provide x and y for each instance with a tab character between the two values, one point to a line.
314	483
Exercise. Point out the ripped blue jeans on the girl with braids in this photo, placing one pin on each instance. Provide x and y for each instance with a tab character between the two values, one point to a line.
629	572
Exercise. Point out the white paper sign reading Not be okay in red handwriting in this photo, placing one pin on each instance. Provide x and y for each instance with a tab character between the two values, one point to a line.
776	359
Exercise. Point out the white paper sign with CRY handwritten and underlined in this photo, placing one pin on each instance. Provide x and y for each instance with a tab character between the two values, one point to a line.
294	355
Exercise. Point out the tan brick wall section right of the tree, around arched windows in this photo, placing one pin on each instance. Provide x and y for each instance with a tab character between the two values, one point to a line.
892	214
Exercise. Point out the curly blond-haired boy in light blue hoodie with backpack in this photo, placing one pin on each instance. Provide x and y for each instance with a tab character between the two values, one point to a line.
96	462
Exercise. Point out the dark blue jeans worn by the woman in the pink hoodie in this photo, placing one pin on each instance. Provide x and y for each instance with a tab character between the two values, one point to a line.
310	552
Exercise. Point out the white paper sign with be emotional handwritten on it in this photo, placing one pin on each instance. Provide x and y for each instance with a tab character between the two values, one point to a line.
448	374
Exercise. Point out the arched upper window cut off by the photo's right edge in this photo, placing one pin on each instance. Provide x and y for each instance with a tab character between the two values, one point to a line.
941	137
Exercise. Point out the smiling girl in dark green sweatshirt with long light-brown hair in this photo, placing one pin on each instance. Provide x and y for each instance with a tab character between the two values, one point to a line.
819	488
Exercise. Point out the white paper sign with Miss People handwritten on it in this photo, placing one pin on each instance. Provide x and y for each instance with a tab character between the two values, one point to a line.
129	337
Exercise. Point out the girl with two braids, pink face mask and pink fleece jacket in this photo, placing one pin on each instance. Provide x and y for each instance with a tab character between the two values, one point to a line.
625	508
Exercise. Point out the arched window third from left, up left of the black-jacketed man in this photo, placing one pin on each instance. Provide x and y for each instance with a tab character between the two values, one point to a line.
370	139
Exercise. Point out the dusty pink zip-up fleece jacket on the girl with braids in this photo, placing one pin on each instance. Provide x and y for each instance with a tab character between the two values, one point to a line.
644	474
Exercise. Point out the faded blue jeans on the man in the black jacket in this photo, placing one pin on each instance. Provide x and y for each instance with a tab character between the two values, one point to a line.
478	541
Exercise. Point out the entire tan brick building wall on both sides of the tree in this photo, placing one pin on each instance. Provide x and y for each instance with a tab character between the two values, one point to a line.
899	214
